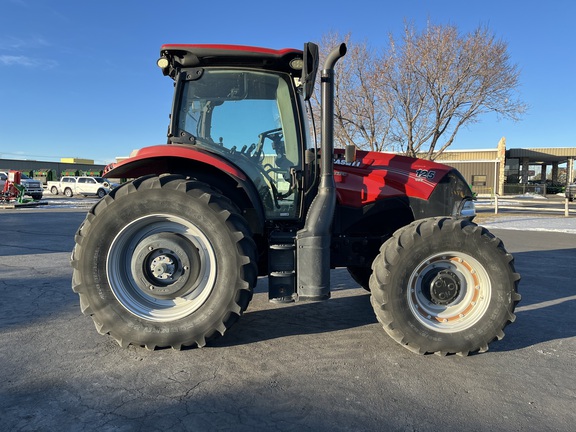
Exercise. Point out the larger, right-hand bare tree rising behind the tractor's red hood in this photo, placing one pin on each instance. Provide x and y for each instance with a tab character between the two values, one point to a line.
442	81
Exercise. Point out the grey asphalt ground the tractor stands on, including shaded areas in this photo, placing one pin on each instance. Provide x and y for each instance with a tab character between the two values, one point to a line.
325	366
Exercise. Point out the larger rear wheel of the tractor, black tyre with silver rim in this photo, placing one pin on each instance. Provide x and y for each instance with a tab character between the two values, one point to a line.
164	261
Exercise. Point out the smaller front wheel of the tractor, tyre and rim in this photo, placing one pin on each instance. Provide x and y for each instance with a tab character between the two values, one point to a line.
444	286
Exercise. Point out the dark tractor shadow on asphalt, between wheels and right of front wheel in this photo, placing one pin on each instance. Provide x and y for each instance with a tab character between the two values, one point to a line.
546	312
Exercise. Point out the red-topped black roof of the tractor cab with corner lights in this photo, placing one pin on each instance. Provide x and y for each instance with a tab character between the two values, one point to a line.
203	55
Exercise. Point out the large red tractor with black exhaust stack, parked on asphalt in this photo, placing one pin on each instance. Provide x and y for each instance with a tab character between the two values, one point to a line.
170	259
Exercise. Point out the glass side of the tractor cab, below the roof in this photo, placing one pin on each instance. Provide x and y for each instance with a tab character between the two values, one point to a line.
248	117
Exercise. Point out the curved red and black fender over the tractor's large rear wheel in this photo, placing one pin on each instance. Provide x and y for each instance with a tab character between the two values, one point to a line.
200	165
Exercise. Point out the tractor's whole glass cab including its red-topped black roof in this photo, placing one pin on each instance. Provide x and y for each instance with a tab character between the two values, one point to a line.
248	110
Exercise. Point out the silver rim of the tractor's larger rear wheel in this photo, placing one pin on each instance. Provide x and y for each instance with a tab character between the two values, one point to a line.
161	268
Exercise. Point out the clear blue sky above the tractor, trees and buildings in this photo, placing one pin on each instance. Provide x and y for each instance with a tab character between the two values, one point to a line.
79	78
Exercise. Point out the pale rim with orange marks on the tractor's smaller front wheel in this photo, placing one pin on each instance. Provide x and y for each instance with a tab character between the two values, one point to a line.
449	292
